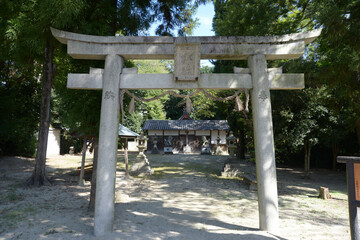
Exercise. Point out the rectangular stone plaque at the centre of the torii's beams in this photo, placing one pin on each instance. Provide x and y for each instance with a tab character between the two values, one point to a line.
187	62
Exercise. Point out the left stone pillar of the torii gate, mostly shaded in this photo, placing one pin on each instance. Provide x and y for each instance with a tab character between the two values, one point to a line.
109	125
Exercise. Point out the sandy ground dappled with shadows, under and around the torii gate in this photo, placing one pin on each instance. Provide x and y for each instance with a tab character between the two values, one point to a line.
185	199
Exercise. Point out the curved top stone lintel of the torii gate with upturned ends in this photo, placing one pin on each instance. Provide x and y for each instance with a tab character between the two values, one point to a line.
83	46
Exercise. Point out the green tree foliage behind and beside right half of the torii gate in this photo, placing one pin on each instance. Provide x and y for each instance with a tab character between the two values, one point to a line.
326	112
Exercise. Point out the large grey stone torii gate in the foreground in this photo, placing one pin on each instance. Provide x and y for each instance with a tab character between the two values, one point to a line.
187	52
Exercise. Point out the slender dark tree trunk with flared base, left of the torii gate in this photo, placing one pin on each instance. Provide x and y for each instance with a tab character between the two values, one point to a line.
39	178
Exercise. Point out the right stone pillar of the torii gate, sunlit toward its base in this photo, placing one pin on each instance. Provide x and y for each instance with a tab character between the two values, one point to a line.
264	145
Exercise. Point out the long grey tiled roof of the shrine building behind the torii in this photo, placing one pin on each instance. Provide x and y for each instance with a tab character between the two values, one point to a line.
186	125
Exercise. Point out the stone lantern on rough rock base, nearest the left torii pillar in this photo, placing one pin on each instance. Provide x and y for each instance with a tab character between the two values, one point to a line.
141	166
